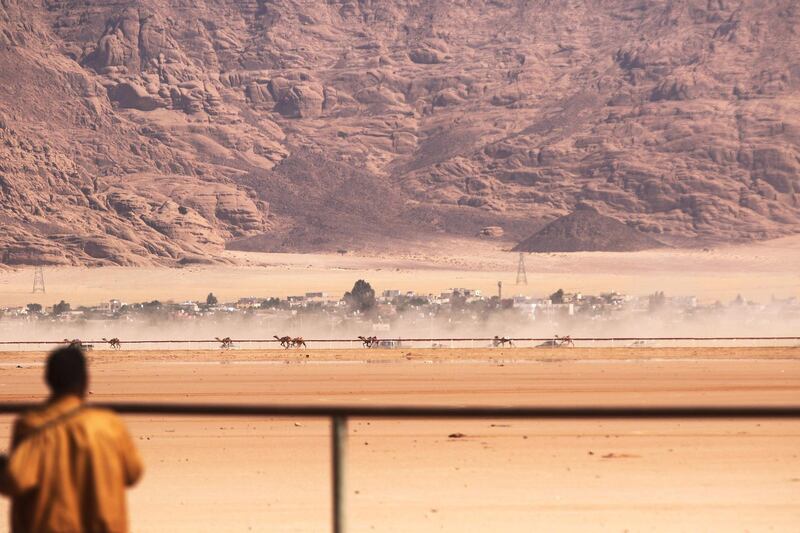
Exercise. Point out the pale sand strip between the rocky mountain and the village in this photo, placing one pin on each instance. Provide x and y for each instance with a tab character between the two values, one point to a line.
757	271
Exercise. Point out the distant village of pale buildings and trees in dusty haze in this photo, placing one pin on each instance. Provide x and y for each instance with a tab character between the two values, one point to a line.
382	313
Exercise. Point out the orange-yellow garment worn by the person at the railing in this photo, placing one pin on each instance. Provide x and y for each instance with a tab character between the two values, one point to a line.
68	470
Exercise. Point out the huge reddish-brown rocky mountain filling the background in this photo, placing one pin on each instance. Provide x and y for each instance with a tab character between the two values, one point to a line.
140	131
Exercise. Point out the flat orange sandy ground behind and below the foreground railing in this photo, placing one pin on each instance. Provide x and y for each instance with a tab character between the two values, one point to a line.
236	474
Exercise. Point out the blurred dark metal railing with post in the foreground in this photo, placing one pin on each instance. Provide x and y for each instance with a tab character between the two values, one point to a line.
340	414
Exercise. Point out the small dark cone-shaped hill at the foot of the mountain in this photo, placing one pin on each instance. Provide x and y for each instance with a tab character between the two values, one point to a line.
586	230
